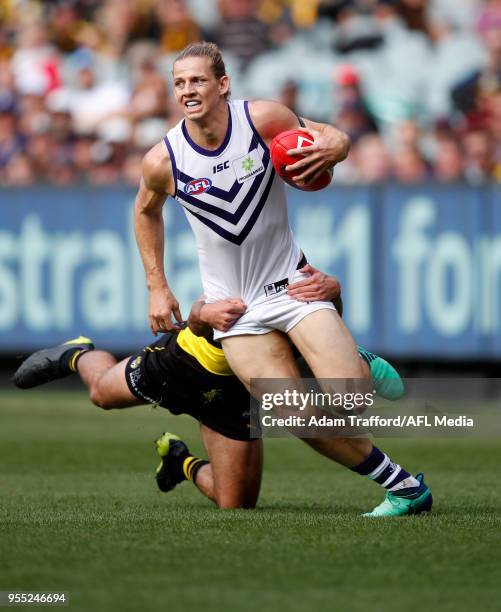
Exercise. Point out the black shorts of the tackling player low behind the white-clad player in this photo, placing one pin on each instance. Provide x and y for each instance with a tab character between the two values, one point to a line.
164	374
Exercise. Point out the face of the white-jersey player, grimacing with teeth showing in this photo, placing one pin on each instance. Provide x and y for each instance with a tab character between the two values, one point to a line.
197	89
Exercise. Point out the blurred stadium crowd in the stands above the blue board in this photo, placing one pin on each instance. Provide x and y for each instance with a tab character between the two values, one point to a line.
85	89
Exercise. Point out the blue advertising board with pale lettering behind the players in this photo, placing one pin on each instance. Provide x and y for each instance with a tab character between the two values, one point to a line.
420	266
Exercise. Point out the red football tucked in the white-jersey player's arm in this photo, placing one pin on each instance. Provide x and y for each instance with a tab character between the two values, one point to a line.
294	139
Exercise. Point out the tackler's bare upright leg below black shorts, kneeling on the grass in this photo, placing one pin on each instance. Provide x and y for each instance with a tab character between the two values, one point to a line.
236	467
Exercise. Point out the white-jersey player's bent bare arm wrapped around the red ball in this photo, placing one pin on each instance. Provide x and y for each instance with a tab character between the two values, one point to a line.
330	147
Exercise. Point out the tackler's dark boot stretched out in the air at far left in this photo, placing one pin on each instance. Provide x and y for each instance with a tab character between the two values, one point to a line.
49	364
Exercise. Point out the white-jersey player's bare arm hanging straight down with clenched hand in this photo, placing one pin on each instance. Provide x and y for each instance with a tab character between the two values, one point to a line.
157	182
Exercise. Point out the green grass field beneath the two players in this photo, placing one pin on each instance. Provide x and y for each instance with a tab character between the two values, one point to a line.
79	512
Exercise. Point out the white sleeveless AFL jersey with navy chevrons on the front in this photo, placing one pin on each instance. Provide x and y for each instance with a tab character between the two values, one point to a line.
237	209
